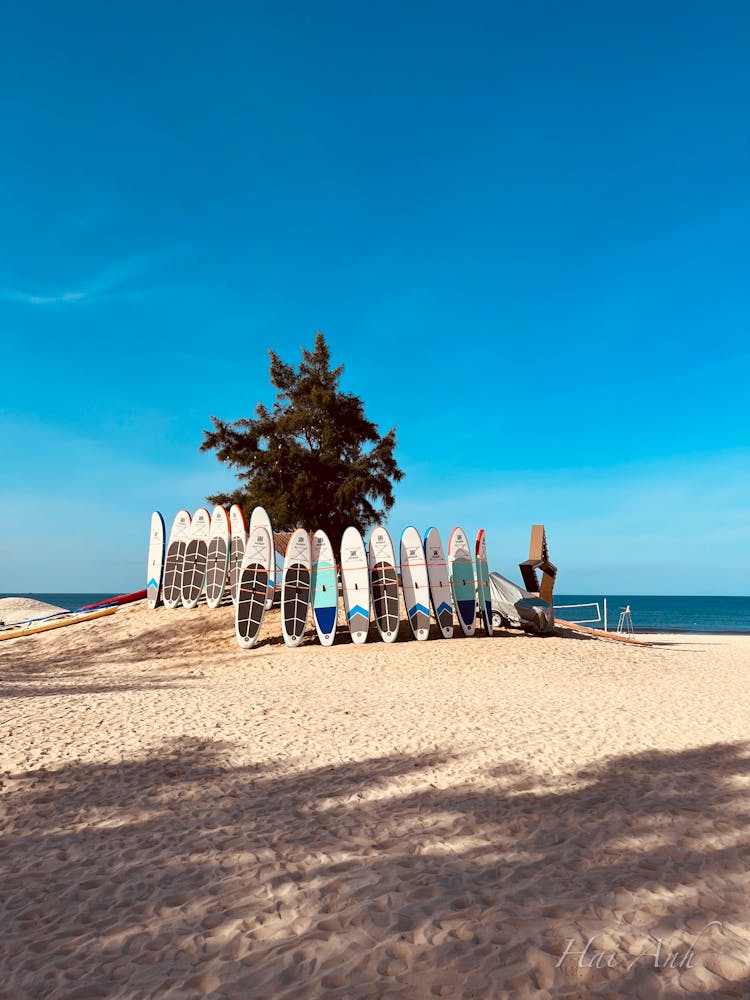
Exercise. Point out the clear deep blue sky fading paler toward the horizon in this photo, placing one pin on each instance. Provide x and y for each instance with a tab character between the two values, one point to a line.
544	209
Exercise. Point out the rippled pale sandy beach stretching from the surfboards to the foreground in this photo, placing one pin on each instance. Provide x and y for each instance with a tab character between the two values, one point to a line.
457	818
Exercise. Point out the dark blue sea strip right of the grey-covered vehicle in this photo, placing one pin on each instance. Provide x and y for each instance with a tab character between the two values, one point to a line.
665	614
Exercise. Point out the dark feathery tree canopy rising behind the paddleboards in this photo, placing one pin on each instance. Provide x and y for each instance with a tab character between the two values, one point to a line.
313	460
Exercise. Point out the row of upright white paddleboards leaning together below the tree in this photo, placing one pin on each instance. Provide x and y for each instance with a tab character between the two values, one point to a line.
210	554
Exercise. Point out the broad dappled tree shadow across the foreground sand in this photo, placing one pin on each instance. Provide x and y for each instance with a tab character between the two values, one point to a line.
180	874
